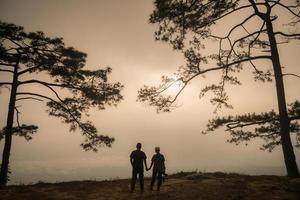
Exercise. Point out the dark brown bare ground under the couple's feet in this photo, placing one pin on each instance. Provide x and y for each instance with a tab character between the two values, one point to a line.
180	186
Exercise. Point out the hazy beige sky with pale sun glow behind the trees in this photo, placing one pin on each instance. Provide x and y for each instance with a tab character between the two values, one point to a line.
116	33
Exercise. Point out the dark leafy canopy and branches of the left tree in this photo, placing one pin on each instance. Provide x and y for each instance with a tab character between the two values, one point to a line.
35	58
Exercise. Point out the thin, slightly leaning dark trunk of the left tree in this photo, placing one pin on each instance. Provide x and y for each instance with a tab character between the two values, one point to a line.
8	129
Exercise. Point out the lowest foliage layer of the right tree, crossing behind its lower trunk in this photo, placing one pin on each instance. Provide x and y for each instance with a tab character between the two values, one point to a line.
264	125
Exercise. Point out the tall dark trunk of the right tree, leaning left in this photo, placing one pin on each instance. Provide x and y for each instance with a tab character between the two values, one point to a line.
287	147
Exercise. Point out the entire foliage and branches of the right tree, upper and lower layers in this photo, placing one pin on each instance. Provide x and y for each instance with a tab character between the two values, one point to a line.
189	26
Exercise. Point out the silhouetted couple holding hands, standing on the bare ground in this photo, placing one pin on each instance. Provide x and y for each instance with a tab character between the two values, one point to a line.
138	159
